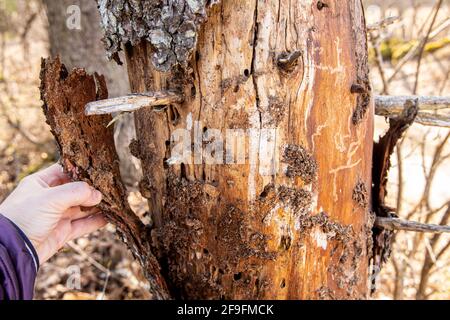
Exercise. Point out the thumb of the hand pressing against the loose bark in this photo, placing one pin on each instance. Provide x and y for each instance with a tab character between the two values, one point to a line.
72	195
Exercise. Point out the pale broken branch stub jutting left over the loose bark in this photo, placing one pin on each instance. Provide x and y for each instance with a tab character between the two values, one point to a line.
132	102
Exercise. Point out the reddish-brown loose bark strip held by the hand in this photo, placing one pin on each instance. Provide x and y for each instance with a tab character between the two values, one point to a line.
88	154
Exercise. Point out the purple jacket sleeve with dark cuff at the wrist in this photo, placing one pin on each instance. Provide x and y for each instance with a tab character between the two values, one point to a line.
18	263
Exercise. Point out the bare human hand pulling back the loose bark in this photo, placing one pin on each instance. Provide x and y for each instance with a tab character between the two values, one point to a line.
51	210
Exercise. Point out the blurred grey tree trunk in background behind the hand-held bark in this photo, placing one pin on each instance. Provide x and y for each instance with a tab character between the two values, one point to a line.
83	48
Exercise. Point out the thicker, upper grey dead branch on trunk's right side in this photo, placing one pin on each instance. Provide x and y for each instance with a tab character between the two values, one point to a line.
393	106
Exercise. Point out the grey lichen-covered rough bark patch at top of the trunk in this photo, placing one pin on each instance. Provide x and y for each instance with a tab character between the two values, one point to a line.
170	26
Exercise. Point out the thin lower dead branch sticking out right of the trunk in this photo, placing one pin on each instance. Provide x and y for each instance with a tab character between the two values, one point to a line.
400	224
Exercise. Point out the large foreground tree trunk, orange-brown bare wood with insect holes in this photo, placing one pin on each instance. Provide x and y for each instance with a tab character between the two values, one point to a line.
292	220
